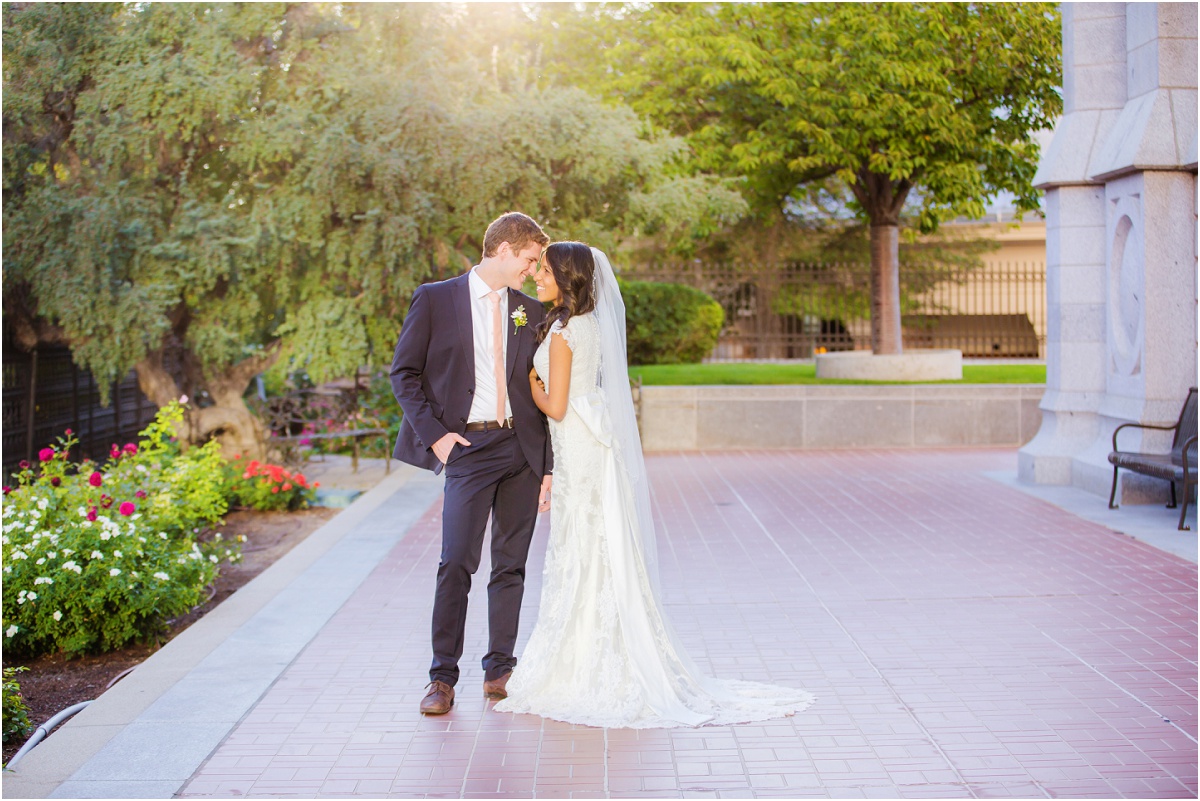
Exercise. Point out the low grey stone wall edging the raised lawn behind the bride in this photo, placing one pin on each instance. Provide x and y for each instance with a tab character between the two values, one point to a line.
829	417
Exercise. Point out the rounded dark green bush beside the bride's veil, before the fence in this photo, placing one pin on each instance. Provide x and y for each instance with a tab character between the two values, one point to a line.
669	324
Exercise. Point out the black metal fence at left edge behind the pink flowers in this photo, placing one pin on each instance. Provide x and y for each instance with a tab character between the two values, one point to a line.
45	394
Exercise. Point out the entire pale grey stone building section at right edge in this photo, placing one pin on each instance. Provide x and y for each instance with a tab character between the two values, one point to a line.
1120	182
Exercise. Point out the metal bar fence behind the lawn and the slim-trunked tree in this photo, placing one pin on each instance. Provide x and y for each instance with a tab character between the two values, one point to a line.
794	311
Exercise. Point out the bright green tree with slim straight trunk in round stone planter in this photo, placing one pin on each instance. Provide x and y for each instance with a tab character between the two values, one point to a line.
932	105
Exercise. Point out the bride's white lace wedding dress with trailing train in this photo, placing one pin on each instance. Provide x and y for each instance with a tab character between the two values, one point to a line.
603	653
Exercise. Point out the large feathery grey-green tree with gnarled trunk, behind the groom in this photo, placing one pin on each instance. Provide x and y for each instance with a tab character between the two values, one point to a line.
200	191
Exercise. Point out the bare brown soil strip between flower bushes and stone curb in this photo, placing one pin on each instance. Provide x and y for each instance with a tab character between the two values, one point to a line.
55	683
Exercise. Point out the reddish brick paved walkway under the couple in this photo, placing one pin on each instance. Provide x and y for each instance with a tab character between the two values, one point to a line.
964	641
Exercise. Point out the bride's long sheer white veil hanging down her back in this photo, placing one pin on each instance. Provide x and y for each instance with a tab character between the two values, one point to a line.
614	381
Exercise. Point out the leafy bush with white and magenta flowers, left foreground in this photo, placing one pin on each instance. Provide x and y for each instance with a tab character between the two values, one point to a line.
97	557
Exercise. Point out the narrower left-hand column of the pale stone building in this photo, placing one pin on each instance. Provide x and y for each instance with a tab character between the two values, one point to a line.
1094	38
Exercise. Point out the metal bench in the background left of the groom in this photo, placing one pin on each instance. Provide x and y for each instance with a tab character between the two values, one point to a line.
304	417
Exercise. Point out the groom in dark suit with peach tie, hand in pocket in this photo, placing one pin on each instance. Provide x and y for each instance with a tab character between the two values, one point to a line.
461	375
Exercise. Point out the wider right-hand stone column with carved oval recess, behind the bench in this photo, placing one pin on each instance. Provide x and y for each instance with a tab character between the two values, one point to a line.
1149	166
